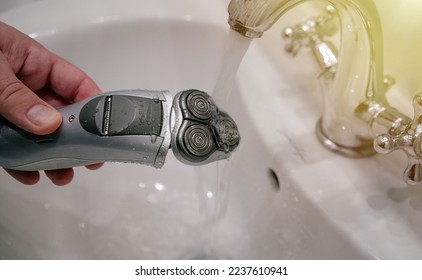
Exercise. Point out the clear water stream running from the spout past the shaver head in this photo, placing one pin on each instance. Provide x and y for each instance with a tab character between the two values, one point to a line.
212	179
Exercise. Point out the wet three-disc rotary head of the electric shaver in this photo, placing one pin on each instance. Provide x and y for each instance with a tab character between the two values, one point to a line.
201	133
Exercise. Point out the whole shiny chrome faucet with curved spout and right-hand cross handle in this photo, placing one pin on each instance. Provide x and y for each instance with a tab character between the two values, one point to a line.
357	120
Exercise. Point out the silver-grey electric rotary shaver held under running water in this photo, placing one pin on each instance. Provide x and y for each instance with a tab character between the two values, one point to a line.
134	126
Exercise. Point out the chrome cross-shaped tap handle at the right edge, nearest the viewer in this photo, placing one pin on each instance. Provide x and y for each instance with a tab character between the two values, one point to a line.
410	141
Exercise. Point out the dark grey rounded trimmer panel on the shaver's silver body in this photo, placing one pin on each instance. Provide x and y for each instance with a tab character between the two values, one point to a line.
112	115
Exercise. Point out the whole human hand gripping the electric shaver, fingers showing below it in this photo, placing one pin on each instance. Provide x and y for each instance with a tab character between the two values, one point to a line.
33	82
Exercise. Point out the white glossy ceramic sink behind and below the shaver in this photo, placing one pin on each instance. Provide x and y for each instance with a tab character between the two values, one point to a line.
281	196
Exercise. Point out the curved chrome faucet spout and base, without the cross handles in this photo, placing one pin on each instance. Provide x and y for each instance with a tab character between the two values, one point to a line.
359	76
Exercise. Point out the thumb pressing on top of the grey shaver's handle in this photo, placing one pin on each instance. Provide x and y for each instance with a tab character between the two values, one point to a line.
25	109
